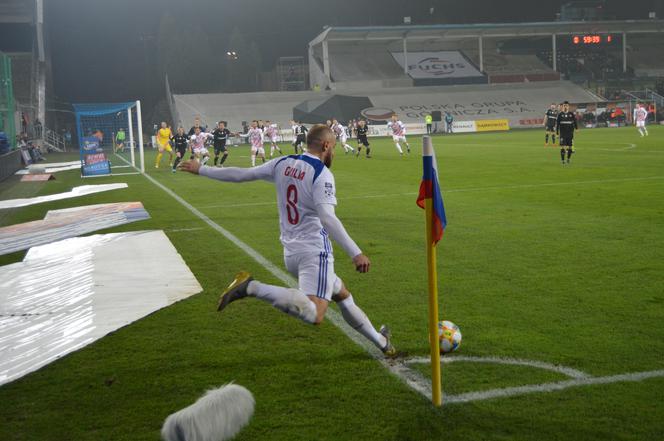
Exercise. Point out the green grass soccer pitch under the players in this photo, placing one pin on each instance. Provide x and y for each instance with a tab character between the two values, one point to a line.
540	261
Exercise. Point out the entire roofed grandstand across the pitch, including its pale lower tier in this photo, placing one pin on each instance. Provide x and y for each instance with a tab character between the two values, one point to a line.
476	72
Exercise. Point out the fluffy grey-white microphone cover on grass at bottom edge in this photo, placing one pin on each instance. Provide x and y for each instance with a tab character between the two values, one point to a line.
217	416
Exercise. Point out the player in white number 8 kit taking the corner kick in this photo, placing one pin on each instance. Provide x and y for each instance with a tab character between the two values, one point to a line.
306	199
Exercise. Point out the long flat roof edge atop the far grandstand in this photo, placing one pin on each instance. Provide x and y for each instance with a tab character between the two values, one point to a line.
488	30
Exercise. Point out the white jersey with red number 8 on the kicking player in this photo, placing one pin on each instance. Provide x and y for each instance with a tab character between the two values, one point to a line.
302	182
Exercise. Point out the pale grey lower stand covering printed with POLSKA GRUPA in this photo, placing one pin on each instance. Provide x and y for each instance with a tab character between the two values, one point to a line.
522	104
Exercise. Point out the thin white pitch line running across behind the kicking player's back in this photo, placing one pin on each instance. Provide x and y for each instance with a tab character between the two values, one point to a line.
457	190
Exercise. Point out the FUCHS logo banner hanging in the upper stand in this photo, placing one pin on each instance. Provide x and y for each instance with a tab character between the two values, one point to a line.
441	64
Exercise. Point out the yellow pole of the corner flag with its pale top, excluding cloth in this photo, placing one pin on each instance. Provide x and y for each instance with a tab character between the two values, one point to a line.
436	386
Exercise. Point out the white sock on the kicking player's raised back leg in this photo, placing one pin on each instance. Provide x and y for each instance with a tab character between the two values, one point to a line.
289	300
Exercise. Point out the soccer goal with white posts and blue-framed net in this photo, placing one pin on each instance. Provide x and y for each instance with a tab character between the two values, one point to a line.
110	136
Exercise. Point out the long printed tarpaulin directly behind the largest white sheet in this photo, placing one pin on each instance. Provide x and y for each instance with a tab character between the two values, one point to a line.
69	222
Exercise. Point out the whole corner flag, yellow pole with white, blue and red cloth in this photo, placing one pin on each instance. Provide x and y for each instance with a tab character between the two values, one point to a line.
431	199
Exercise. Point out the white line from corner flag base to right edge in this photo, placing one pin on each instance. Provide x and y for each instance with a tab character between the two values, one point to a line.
549	387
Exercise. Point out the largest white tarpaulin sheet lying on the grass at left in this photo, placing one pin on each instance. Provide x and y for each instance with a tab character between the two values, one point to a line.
67	294
